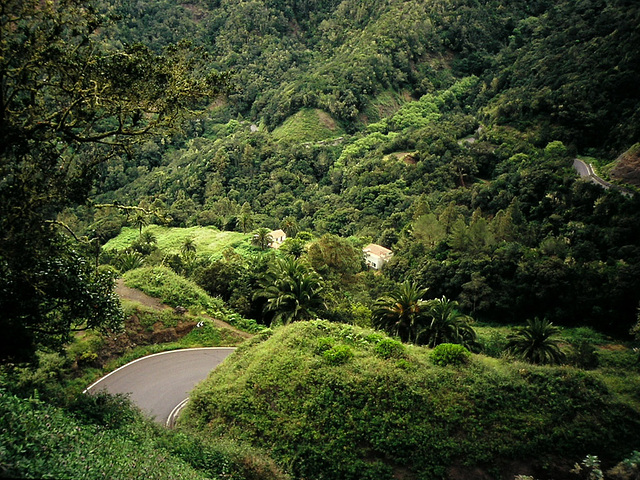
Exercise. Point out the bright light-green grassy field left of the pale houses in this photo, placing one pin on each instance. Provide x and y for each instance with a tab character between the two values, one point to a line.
208	240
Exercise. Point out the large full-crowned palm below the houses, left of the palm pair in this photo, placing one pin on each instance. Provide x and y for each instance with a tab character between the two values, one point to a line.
293	291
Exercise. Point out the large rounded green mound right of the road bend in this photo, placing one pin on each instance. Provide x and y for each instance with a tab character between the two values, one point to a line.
335	401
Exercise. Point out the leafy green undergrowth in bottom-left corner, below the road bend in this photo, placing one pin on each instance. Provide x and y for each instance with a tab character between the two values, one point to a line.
98	435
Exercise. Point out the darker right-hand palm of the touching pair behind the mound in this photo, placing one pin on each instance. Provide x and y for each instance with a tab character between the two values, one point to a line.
446	324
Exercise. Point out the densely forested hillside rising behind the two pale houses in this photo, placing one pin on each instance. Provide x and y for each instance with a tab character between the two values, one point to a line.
444	131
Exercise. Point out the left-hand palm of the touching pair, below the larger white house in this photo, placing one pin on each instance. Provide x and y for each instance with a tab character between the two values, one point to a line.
401	312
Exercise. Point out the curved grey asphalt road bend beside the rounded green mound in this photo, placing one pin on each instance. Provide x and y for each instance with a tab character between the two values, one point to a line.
160	384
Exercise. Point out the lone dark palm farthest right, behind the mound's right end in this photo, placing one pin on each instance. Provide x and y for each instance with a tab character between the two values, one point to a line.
535	344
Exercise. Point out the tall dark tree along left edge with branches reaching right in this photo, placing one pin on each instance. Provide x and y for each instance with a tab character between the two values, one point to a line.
70	101
